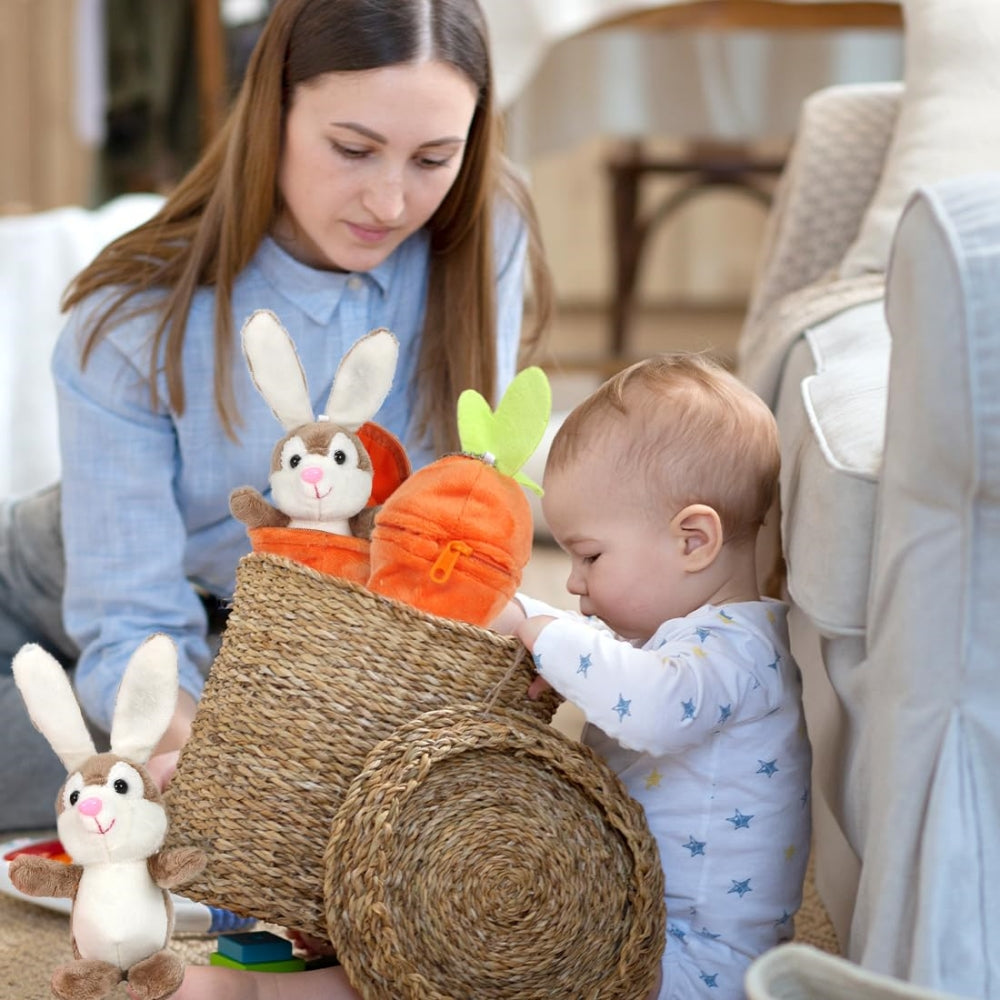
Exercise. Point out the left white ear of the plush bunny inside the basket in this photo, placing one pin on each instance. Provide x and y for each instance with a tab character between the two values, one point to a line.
276	370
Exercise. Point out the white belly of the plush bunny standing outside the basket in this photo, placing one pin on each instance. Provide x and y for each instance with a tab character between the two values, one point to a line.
119	915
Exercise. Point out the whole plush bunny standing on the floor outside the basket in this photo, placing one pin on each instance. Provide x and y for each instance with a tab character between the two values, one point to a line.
112	822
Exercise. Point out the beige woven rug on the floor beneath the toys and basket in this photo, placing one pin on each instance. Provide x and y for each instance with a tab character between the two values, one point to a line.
34	940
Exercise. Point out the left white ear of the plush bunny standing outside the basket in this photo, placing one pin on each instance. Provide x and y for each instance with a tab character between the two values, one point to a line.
52	706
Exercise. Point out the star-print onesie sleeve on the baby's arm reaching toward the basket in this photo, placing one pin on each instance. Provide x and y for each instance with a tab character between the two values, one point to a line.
657	701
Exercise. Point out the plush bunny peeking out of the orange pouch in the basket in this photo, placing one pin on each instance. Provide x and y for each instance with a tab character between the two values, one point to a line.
321	474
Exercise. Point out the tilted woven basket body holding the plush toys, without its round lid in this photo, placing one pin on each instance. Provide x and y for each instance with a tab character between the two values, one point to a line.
312	674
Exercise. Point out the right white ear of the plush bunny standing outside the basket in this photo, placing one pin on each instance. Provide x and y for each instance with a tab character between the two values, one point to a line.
146	699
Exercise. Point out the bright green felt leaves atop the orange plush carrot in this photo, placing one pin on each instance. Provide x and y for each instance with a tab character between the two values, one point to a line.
510	434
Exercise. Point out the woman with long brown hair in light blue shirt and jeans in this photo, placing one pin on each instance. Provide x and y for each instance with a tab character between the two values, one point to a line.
357	183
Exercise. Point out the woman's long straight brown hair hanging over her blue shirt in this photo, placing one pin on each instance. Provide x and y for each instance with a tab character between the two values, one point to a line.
210	226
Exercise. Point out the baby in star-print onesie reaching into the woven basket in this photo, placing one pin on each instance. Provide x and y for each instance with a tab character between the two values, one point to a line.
656	487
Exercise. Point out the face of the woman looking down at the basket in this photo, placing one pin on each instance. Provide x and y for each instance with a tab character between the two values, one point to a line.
367	159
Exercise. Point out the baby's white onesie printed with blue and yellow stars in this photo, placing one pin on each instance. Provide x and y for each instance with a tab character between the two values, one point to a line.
704	726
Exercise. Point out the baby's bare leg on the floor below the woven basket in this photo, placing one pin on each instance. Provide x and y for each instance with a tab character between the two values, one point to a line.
211	982
